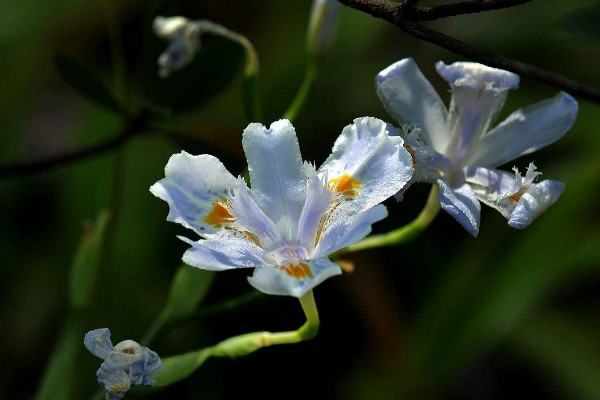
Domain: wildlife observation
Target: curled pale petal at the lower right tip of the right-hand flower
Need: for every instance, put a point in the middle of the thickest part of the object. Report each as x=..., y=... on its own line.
x=534, y=202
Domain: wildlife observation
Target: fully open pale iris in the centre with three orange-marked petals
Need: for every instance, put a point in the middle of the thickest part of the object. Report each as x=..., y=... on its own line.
x=293, y=216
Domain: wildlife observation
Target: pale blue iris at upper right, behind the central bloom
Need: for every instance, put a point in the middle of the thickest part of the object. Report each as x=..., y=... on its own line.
x=459, y=148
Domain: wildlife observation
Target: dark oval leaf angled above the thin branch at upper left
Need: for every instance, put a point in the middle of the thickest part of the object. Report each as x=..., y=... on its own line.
x=85, y=82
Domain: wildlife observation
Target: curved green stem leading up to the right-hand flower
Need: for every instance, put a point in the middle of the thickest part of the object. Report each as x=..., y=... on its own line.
x=403, y=234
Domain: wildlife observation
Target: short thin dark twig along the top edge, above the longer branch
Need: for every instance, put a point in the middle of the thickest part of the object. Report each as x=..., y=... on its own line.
x=466, y=7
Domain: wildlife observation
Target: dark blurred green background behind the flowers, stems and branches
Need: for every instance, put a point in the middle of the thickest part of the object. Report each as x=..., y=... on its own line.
x=511, y=313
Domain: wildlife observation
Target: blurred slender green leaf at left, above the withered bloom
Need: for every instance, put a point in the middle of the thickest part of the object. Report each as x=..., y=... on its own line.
x=86, y=262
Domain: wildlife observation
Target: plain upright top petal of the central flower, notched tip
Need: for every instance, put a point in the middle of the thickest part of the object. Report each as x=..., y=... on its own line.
x=276, y=170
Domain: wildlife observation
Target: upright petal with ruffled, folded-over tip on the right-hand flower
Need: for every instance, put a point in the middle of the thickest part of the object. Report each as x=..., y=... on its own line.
x=478, y=94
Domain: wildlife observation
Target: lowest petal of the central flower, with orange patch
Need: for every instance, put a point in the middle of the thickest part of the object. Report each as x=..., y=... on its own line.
x=293, y=280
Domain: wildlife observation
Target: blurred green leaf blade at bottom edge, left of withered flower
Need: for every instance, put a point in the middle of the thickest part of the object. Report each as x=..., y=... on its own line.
x=58, y=377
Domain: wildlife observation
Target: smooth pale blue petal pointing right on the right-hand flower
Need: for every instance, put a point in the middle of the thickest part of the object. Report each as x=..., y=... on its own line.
x=525, y=131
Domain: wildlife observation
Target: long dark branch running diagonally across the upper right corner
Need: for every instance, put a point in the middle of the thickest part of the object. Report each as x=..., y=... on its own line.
x=392, y=12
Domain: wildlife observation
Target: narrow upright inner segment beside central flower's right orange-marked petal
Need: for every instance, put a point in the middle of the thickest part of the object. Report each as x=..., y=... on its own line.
x=318, y=203
